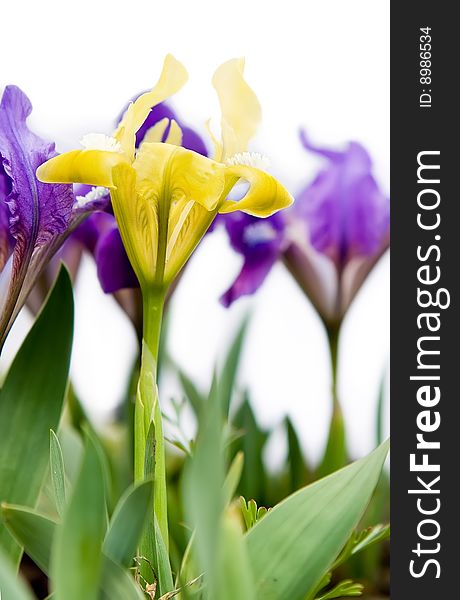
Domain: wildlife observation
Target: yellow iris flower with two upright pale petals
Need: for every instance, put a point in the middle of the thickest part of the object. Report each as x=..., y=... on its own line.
x=165, y=197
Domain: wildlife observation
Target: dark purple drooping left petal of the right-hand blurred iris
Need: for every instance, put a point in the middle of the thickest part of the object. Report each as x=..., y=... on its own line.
x=260, y=242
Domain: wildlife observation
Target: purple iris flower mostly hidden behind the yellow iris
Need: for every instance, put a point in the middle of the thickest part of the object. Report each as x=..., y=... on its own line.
x=101, y=236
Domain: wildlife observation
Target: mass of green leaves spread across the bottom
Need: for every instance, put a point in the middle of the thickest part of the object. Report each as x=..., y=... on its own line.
x=235, y=549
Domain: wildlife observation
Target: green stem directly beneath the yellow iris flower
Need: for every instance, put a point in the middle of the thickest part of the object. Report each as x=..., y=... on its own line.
x=147, y=412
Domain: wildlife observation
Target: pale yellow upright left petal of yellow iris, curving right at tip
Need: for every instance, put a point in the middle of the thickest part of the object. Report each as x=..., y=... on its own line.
x=173, y=77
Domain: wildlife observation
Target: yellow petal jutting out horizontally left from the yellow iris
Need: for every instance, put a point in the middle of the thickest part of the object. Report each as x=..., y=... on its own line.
x=93, y=167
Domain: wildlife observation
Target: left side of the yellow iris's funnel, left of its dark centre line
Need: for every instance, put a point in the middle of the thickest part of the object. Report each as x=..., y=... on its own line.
x=136, y=214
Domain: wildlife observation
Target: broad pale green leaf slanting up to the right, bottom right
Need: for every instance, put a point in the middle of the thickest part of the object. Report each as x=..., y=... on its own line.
x=295, y=544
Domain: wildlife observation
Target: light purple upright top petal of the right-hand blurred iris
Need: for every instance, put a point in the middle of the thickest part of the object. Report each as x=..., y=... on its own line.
x=346, y=212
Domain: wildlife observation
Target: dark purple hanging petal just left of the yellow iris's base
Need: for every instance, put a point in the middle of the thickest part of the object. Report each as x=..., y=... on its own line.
x=113, y=267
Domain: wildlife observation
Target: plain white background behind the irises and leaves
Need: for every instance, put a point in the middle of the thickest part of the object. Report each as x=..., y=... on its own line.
x=321, y=65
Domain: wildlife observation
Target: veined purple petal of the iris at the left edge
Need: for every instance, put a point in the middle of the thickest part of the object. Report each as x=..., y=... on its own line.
x=39, y=211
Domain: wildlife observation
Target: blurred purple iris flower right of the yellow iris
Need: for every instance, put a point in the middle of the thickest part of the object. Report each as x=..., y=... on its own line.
x=329, y=240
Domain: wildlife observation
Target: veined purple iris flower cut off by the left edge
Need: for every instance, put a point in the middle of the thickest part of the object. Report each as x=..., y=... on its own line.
x=33, y=215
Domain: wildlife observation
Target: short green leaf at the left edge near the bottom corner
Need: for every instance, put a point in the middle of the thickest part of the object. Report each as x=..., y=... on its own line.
x=33, y=531
